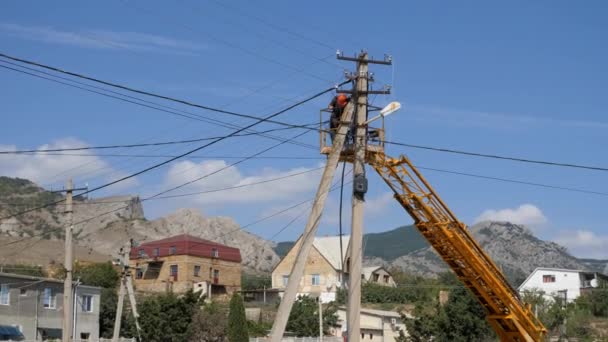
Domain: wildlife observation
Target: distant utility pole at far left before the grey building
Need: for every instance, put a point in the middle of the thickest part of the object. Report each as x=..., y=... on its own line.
x=66, y=335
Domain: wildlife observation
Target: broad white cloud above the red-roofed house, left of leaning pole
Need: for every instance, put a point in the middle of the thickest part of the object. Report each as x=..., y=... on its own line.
x=286, y=189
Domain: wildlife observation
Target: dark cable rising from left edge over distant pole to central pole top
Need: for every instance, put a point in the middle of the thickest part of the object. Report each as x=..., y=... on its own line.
x=260, y=120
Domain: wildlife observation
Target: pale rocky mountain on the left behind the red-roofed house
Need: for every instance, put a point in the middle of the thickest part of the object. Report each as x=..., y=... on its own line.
x=104, y=225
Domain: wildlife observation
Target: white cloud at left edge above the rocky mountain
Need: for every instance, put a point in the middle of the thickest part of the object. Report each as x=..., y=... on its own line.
x=51, y=168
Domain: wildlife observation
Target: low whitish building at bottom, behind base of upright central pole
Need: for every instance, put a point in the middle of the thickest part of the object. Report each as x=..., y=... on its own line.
x=376, y=325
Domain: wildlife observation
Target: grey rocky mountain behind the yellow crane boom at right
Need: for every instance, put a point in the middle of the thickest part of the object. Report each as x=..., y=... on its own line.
x=513, y=247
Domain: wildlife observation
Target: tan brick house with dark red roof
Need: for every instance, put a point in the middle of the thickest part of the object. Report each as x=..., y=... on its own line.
x=184, y=262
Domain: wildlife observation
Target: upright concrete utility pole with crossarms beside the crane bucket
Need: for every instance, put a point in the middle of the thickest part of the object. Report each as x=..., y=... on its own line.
x=358, y=201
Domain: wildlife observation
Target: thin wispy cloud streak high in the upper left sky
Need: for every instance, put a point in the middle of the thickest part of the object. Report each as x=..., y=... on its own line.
x=101, y=39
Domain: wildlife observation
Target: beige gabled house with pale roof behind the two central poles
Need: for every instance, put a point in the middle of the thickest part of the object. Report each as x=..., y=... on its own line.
x=323, y=273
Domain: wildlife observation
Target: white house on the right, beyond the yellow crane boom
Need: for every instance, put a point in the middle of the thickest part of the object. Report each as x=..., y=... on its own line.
x=562, y=283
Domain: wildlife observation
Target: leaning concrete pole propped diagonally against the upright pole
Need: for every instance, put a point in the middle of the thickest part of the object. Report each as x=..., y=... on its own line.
x=278, y=328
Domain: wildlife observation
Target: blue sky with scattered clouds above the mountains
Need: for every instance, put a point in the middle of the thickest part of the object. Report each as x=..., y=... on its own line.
x=520, y=79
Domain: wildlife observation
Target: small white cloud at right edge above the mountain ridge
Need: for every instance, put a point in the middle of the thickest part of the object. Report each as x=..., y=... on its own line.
x=584, y=243
